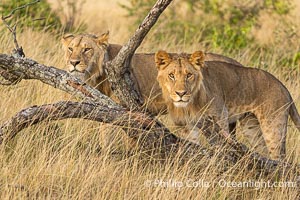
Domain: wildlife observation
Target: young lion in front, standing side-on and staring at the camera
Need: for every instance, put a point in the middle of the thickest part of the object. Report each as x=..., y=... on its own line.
x=191, y=86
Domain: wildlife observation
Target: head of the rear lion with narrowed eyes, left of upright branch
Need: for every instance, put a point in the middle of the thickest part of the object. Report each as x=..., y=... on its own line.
x=85, y=54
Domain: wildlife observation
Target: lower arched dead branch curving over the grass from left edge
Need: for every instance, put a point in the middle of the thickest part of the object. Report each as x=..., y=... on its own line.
x=150, y=134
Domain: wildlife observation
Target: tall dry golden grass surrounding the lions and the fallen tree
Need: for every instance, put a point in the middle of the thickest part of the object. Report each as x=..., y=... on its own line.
x=77, y=159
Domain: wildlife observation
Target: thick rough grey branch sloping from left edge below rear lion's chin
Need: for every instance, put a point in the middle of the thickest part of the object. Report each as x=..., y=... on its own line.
x=15, y=69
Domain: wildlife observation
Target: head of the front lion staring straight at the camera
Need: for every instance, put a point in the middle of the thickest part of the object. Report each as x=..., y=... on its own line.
x=179, y=76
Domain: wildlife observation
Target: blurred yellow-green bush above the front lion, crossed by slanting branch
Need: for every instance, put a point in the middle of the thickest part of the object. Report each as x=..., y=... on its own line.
x=226, y=24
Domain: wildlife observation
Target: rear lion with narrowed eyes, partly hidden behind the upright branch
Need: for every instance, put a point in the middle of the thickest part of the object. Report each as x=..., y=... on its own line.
x=86, y=53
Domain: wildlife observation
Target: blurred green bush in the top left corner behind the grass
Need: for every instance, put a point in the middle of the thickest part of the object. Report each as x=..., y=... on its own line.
x=41, y=16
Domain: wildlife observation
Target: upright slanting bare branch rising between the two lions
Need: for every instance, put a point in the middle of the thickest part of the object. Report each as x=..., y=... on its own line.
x=119, y=75
